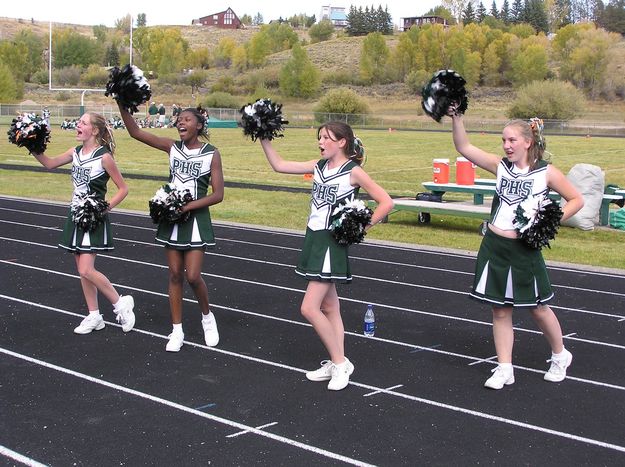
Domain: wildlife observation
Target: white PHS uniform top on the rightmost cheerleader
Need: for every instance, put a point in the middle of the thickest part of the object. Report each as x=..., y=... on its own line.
x=513, y=186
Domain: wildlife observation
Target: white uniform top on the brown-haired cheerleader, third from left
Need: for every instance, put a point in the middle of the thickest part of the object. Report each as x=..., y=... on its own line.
x=330, y=187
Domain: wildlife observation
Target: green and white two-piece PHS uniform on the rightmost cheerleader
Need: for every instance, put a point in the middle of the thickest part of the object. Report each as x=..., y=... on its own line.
x=508, y=272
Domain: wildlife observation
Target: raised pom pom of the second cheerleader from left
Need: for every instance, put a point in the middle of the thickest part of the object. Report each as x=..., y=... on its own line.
x=129, y=87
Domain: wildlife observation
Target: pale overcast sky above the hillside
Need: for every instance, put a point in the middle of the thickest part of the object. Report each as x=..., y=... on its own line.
x=164, y=12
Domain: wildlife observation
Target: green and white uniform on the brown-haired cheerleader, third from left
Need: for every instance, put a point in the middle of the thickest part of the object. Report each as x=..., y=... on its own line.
x=322, y=258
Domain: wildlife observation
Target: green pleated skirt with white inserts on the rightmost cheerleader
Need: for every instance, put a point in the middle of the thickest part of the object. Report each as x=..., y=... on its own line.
x=509, y=273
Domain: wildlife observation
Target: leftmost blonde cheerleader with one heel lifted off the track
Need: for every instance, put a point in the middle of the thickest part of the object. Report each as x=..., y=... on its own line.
x=92, y=166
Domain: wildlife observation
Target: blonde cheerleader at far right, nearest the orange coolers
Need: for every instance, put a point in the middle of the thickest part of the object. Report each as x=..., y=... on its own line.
x=511, y=271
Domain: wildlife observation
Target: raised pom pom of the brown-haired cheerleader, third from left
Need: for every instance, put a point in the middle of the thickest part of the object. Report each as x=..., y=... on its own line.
x=262, y=120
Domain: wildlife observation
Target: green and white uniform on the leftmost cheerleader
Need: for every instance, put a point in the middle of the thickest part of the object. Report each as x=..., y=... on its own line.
x=88, y=176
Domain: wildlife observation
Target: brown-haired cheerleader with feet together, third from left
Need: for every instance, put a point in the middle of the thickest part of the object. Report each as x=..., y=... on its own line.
x=323, y=261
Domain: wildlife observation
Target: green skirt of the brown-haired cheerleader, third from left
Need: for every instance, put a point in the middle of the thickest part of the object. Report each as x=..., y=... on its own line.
x=323, y=259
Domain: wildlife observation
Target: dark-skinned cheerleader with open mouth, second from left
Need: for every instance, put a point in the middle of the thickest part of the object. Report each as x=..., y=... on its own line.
x=193, y=165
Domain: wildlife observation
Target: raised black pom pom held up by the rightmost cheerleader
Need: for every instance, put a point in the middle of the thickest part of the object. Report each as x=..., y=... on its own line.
x=445, y=89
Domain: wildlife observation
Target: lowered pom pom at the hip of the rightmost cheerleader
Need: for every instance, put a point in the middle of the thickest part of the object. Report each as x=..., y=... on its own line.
x=537, y=221
